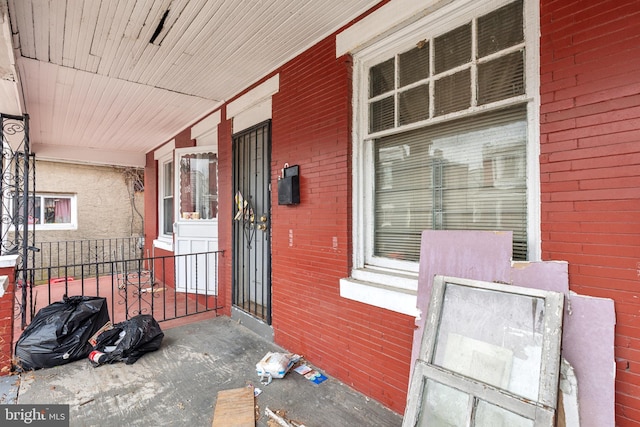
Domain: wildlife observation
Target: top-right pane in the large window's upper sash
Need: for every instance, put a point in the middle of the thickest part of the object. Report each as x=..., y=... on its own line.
x=500, y=29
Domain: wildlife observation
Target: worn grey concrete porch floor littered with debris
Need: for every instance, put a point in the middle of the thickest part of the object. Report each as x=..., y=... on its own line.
x=178, y=384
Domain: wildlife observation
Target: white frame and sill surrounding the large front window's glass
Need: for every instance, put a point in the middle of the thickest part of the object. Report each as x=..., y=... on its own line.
x=393, y=284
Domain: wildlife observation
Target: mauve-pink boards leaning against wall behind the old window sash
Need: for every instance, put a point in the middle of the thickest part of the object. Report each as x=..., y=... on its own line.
x=588, y=326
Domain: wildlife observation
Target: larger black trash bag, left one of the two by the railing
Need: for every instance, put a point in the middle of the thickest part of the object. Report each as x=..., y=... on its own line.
x=59, y=333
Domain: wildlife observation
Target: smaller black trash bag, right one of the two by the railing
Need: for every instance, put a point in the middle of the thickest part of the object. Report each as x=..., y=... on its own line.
x=132, y=339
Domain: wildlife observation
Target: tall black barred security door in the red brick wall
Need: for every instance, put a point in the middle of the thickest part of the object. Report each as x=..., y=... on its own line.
x=251, y=221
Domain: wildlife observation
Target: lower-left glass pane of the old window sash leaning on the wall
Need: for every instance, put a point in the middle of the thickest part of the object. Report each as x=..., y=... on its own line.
x=444, y=406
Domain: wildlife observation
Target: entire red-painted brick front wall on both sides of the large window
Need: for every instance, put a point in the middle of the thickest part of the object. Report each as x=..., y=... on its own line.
x=590, y=199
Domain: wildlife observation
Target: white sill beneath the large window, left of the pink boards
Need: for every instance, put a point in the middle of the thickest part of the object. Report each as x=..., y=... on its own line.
x=391, y=290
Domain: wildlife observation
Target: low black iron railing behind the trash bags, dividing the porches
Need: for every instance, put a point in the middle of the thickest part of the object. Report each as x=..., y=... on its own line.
x=167, y=287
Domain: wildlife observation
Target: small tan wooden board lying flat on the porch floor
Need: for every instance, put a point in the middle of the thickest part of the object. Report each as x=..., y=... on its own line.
x=234, y=408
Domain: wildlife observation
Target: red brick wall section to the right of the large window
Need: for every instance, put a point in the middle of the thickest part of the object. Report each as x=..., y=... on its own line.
x=590, y=164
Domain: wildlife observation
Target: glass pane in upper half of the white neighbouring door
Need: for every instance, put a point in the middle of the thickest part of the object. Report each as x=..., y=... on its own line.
x=198, y=186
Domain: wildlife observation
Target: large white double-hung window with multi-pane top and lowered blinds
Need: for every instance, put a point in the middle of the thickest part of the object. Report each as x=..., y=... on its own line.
x=443, y=119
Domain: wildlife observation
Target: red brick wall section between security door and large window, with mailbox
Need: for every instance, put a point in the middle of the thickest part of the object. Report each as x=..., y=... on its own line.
x=365, y=347
